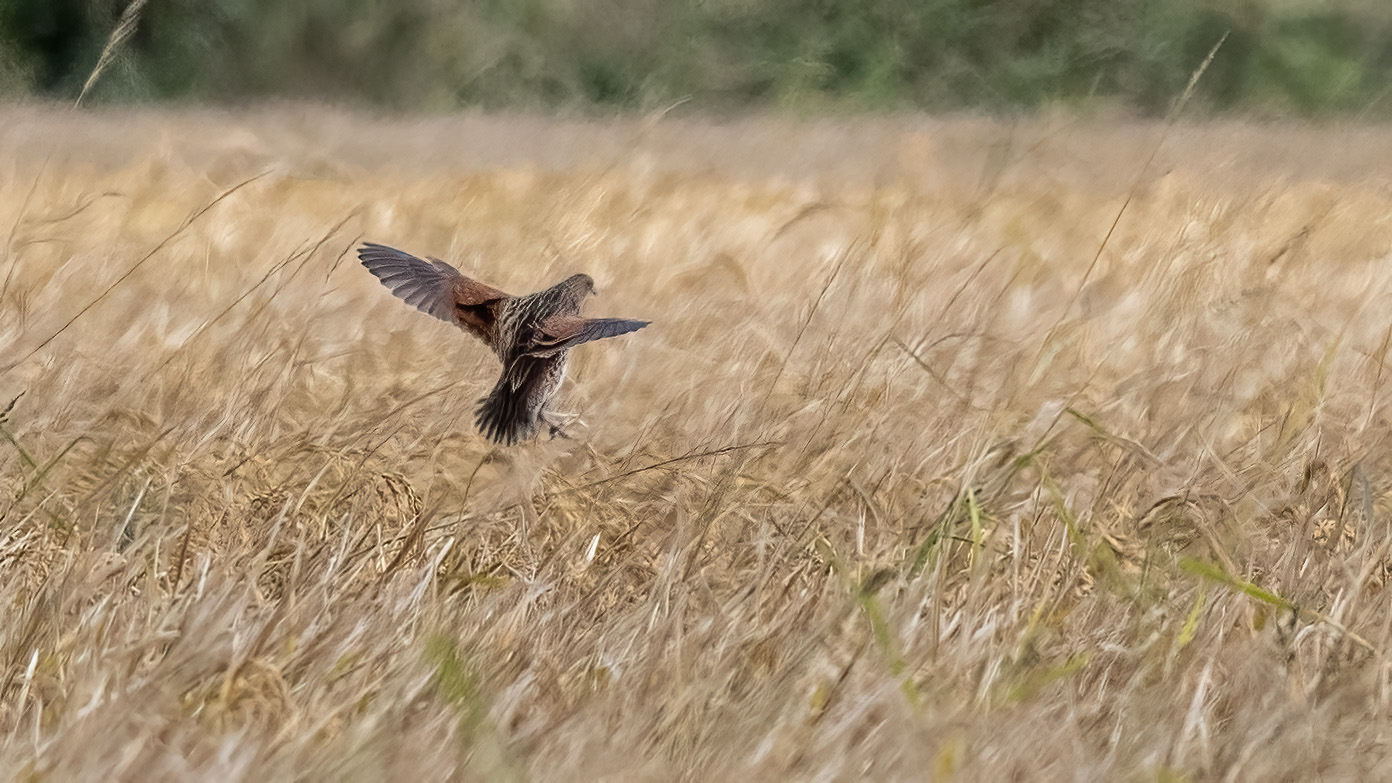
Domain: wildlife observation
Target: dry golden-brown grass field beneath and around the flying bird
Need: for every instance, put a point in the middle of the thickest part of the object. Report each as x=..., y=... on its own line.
x=904, y=483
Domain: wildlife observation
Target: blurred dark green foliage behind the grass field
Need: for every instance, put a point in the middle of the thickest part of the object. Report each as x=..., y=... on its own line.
x=431, y=55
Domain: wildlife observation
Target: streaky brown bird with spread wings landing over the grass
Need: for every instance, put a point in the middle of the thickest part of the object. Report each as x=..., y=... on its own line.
x=531, y=335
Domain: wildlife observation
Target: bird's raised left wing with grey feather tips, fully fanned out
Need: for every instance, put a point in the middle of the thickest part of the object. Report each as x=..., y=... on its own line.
x=436, y=288
